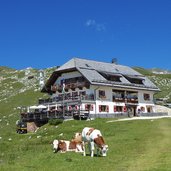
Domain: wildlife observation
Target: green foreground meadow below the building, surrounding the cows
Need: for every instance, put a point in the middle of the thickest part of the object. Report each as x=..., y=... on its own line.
x=142, y=145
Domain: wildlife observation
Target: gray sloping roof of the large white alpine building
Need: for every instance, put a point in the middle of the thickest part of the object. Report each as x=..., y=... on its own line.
x=91, y=71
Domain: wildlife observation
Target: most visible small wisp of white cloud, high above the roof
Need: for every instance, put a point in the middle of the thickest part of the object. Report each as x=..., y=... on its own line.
x=97, y=26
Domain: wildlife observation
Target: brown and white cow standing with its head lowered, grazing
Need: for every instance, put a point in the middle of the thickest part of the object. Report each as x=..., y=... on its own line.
x=94, y=139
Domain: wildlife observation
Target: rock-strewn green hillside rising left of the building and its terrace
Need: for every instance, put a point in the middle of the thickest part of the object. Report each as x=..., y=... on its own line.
x=18, y=88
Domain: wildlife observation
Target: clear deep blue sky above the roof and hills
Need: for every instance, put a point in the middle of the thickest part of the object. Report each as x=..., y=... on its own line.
x=46, y=33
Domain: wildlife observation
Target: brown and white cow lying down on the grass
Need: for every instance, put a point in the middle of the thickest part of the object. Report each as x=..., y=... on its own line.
x=64, y=146
